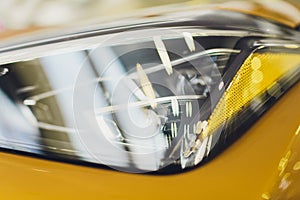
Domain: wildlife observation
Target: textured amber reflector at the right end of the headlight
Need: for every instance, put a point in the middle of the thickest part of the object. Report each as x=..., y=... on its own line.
x=259, y=73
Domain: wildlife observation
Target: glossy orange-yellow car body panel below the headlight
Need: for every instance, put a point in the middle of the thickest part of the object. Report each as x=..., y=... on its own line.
x=246, y=170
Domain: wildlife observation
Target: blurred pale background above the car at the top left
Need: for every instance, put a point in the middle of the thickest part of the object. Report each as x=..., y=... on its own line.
x=20, y=14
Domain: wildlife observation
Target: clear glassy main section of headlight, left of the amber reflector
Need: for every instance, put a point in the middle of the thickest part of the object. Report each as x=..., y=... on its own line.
x=115, y=105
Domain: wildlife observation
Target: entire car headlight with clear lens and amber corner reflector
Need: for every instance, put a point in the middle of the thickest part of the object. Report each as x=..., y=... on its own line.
x=143, y=100
